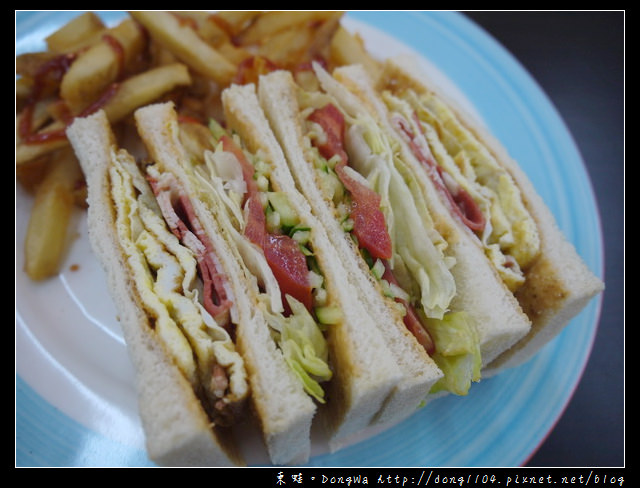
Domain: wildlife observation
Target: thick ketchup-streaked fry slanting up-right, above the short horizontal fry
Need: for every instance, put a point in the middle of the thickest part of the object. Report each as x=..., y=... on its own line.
x=101, y=65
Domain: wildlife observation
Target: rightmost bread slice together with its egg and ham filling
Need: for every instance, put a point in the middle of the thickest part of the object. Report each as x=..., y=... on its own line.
x=464, y=172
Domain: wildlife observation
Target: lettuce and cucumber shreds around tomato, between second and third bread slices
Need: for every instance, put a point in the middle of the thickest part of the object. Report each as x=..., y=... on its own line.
x=299, y=336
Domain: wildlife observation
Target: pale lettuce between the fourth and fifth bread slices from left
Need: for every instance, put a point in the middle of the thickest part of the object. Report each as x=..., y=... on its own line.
x=420, y=263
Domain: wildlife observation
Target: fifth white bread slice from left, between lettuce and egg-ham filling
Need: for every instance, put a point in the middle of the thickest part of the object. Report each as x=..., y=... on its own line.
x=479, y=290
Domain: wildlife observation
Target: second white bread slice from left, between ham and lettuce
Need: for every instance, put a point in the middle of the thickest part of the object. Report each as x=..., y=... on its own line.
x=284, y=410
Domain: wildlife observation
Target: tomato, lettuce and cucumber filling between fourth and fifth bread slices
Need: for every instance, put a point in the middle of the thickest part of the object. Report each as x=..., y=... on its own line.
x=354, y=166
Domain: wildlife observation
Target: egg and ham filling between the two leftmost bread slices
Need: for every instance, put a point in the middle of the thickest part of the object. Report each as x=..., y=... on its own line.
x=172, y=272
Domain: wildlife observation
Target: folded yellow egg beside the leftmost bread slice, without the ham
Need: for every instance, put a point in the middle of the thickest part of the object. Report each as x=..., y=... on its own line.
x=167, y=281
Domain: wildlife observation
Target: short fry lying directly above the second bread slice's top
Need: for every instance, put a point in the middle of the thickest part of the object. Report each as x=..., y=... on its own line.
x=145, y=88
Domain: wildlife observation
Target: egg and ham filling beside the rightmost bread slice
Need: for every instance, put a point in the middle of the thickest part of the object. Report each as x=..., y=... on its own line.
x=481, y=193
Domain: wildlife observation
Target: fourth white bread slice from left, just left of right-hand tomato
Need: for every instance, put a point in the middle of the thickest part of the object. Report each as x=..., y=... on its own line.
x=279, y=99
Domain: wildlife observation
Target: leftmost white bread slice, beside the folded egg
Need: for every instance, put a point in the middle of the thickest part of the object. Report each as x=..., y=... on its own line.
x=177, y=429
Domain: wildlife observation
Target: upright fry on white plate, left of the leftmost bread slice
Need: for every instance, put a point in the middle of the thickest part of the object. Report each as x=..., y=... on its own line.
x=47, y=236
